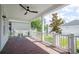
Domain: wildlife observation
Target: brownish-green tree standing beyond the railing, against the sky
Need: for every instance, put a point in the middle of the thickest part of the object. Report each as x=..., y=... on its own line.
x=56, y=23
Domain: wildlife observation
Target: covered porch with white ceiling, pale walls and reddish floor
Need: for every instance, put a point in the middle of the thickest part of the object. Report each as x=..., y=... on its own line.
x=17, y=40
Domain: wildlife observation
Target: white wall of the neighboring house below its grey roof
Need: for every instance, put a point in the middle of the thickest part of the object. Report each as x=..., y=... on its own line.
x=70, y=29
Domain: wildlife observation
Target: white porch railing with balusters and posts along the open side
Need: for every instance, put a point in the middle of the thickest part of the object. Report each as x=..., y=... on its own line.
x=66, y=42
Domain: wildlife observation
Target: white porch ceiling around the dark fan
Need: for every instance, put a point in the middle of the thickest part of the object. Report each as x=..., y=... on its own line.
x=15, y=12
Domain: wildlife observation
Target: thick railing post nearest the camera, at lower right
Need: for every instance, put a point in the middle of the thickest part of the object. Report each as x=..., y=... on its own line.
x=72, y=45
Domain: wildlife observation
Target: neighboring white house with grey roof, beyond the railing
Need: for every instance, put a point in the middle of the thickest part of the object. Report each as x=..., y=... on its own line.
x=71, y=28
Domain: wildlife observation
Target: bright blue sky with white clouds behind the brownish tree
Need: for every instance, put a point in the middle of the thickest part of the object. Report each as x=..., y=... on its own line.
x=68, y=13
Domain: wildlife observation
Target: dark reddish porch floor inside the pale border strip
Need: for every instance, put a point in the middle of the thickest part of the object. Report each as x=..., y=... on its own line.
x=21, y=45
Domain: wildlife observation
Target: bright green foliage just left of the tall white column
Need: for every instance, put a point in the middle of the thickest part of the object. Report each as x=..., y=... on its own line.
x=36, y=24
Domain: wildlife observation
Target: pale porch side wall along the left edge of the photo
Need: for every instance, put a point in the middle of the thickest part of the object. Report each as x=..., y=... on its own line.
x=3, y=29
